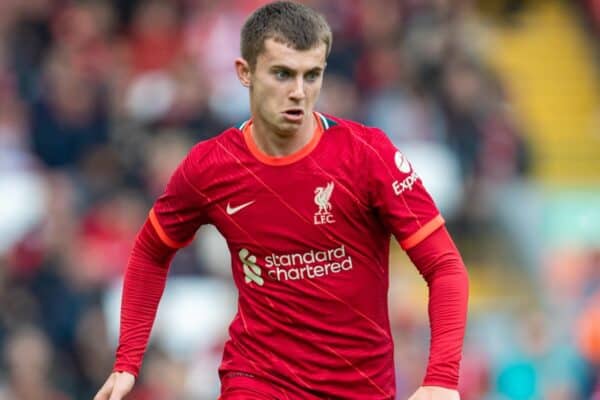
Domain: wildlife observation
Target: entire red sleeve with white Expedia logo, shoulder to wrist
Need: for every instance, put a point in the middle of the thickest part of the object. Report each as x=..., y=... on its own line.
x=404, y=206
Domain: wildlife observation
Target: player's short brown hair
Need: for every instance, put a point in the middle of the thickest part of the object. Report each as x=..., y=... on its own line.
x=287, y=22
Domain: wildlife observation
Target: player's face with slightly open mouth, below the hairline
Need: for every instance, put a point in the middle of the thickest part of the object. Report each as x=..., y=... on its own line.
x=285, y=85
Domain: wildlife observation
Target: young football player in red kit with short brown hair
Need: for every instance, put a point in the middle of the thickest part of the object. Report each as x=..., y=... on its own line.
x=307, y=204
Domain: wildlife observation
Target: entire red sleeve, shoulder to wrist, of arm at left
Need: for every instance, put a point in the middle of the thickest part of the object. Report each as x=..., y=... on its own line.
x=171, y=224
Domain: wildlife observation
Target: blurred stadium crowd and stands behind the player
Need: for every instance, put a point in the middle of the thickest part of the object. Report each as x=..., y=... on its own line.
x=497, y=103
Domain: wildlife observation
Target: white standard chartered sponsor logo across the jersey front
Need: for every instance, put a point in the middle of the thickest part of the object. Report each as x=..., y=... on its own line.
x=312, y=264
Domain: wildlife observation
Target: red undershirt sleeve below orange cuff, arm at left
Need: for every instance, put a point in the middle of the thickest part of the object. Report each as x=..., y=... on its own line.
x=143, y=287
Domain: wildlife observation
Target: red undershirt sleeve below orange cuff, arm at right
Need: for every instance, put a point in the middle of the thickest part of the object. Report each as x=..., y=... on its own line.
x=439, y=262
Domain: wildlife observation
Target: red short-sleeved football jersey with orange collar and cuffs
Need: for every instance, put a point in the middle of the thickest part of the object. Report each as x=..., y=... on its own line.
x=309, y=238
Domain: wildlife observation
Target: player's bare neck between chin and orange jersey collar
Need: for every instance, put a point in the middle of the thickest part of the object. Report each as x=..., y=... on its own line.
x=281, y=144
